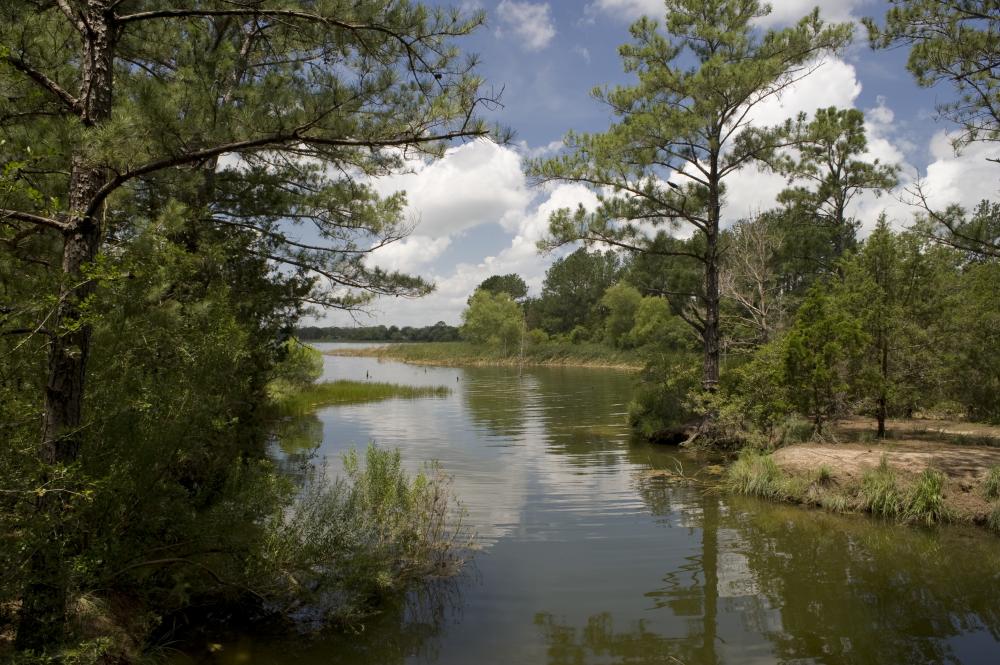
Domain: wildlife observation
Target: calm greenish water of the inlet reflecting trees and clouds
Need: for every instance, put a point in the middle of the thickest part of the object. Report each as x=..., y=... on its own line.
x=591, y=556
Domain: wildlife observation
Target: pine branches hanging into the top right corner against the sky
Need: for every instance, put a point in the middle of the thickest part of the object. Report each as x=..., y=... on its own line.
x=957, y=42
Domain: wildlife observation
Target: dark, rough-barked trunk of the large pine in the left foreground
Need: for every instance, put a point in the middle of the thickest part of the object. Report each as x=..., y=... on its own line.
x=43, y=607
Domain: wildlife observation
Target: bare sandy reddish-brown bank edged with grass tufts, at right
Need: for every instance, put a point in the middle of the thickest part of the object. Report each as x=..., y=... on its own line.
x=926, y=472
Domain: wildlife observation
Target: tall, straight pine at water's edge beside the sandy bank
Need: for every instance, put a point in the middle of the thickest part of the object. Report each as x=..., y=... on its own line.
x=685, y=120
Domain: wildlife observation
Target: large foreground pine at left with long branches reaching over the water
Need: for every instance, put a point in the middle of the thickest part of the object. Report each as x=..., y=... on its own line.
x=241, y=120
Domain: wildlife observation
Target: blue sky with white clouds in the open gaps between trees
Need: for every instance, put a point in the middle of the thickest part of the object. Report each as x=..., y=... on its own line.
x=476, y=214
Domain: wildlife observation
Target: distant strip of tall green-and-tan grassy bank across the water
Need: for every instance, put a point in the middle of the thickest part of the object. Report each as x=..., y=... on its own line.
x=464, y=354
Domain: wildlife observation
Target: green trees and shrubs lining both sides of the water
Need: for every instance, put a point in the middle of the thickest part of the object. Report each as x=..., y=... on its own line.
x=183, y=183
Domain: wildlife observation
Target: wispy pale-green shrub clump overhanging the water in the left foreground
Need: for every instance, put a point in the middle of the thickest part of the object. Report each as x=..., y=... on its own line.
x=346, y=546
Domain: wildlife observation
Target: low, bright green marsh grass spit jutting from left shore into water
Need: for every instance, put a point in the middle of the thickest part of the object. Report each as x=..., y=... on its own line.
x=291, y=400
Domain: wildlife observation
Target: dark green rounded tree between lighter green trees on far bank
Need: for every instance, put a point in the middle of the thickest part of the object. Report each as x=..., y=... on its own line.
x=573, y=288
